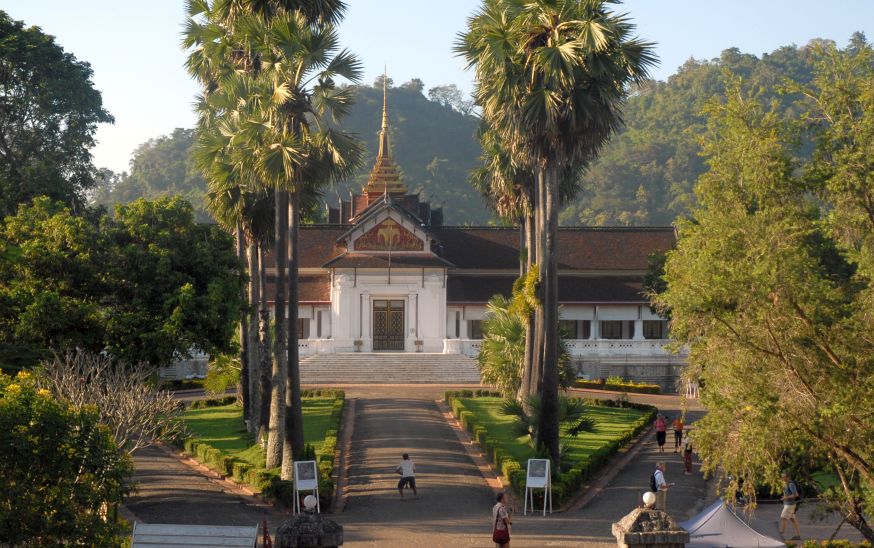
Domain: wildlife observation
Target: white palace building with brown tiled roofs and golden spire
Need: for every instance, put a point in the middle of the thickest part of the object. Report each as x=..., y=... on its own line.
x=385, y=275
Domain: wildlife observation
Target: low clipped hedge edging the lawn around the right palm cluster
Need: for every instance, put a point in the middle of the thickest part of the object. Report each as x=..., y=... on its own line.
x=564, y=484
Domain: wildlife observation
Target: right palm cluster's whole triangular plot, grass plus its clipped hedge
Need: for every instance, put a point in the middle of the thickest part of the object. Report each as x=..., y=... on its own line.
x=616, y=424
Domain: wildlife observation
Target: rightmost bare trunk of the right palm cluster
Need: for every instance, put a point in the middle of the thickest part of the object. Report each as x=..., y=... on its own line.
x=548, y=431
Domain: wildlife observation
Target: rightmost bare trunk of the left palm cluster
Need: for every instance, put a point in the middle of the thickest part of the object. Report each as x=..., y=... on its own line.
x=294, y=443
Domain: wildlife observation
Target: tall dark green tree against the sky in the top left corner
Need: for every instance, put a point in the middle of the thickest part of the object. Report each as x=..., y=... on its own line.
x=50, y=111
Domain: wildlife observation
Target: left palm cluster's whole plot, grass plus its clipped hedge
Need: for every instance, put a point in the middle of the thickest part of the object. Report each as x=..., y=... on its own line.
x=220, y=441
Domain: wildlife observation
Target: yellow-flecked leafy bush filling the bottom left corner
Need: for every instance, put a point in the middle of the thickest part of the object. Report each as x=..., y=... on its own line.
x=62, y=476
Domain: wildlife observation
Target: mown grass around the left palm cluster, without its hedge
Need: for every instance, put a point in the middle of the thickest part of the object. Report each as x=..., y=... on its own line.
x=222, y=428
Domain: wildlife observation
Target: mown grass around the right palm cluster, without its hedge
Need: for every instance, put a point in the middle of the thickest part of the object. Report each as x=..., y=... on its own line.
x=610, y=424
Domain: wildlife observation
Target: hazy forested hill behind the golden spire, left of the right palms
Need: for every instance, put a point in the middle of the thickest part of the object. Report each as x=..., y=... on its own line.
x=433, y=143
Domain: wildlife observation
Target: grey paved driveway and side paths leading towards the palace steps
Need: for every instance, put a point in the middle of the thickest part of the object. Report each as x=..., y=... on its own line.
x=453, y=508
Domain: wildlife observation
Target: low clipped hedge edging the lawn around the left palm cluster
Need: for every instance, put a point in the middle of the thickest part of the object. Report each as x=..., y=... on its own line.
x=268, y=481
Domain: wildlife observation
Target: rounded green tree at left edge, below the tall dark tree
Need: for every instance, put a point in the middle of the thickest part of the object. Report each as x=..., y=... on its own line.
x=50, y=293
